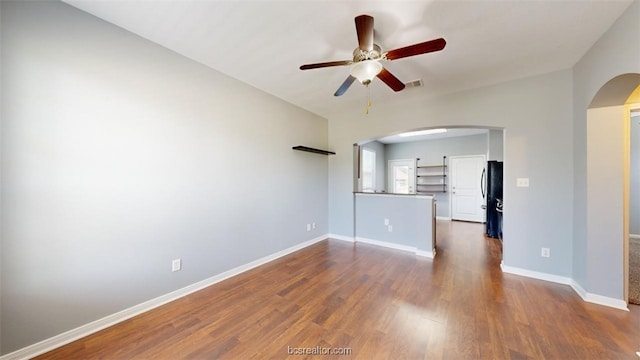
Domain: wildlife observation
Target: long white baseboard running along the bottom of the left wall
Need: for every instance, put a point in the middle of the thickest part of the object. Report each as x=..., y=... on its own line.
x=110, y=320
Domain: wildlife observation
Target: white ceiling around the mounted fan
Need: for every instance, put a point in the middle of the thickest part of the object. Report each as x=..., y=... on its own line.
x=263, y=43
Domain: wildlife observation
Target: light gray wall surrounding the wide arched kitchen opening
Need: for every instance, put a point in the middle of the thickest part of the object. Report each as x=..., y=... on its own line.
x=537, y=143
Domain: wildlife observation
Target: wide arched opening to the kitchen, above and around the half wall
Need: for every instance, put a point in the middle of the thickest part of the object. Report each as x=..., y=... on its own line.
x=449, y=165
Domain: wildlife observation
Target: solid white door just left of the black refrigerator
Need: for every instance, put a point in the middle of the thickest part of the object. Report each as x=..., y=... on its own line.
x=466, y=188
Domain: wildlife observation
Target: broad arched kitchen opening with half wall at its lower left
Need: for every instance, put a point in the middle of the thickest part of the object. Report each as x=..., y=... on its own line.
x=425, y=159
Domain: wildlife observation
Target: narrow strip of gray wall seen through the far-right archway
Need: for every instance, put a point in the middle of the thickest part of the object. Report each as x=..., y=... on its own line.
x=634, y=194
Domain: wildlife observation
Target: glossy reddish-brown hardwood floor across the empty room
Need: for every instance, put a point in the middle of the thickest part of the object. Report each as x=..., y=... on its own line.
x=378, y=303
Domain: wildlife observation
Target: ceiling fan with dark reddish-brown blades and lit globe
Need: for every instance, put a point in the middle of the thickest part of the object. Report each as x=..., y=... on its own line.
x=367, y=56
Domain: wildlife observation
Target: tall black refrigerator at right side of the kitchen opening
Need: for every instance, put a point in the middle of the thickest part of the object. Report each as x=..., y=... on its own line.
x=492, y=178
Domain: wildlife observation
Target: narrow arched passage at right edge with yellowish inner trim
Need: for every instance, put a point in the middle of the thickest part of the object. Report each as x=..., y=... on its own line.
x=608, y=151
